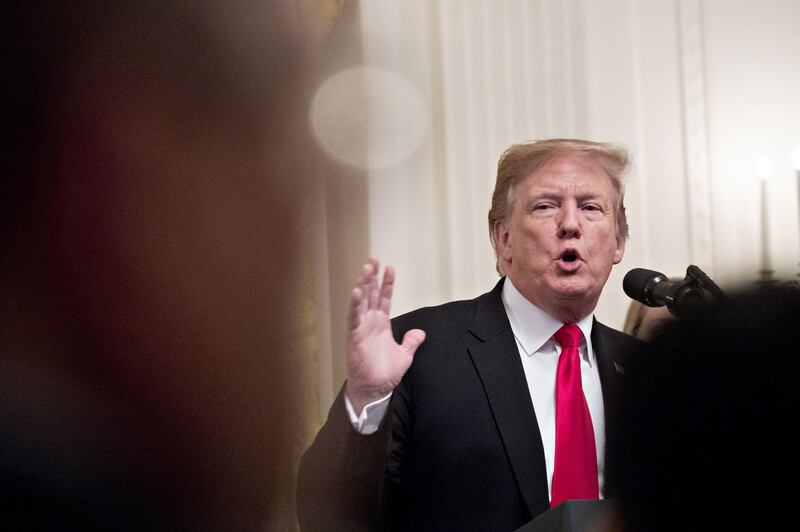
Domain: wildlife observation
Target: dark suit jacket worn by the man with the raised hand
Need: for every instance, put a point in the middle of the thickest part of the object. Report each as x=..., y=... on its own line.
x=460, y=447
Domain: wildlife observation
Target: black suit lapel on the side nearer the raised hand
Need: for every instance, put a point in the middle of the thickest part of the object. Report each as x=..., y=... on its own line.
x=497, y=361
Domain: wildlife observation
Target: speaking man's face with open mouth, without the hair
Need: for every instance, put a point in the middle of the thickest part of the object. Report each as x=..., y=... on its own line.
x=560, y=241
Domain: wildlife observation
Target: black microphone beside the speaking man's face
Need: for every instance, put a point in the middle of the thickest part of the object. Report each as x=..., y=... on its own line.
x=654, y=289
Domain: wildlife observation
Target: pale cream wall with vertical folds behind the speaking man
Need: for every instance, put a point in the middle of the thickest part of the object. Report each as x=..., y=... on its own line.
x=697, y=90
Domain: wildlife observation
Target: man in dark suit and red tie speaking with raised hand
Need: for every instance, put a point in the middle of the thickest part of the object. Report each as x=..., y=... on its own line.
x=465, y=438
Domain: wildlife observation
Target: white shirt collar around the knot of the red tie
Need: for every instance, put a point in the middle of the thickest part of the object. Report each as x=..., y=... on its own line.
x=533, y=327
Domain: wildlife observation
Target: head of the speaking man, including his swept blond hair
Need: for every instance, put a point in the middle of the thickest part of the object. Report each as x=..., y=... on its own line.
x=558, y=222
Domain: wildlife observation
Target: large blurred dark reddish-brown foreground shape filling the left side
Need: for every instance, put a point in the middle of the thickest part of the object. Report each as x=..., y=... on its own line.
x=151, y=223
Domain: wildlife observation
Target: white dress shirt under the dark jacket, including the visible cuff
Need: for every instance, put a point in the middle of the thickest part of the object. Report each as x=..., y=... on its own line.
x=533, y=329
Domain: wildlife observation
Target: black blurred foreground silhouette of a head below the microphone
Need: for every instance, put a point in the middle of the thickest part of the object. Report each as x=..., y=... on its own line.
x=709, y=408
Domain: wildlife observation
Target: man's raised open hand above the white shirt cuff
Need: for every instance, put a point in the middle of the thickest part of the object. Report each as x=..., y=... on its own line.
x=375, y=361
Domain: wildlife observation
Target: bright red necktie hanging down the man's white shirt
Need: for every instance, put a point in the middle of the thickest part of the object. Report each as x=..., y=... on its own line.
x=575, y=470
